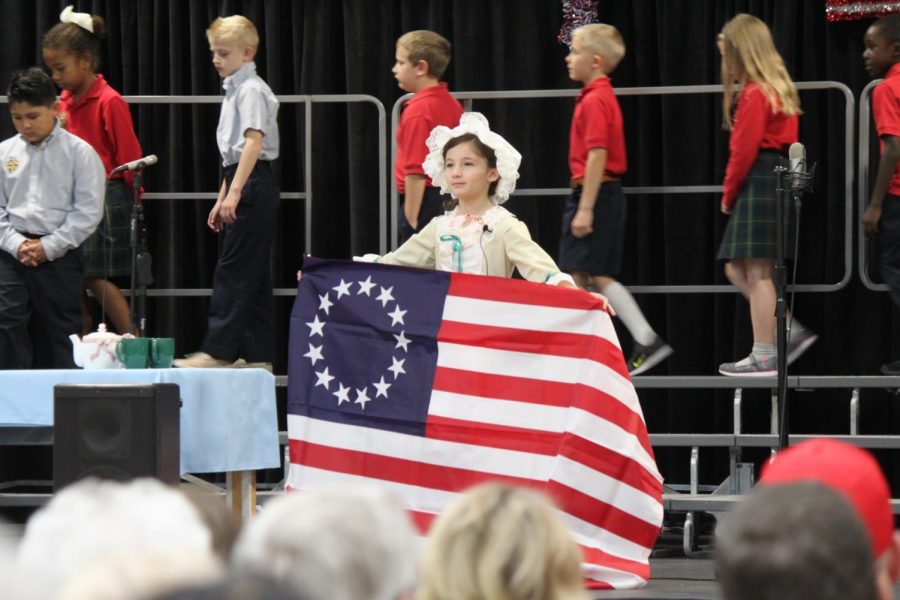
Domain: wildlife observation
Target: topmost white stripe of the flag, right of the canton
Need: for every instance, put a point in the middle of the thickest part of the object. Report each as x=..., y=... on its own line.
x=529, y=317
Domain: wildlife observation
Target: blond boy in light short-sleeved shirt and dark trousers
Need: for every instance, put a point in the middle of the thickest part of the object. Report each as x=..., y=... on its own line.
x=240, y=330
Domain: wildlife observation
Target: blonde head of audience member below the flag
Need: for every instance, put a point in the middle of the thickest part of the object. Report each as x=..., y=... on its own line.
x=499, y=541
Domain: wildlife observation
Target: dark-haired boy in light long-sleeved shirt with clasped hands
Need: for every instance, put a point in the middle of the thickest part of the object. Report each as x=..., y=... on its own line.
x=52, y=185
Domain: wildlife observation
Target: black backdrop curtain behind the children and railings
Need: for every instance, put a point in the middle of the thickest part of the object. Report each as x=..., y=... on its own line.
x=158, y=47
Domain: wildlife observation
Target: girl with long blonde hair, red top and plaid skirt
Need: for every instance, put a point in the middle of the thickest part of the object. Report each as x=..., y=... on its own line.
x=761, y=107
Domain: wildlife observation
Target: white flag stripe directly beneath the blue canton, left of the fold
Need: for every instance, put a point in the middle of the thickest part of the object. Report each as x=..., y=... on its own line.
x=484, y=459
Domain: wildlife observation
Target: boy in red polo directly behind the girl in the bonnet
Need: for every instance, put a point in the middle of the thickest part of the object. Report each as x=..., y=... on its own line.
x=421, y=58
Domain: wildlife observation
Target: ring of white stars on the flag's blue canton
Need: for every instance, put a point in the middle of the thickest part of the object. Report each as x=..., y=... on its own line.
x=378, y=389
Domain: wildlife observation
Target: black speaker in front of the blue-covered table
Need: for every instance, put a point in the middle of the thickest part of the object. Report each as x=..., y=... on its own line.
x=116, y=432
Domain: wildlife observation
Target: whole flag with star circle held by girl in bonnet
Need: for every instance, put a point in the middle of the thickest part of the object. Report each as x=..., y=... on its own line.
x=429, y=382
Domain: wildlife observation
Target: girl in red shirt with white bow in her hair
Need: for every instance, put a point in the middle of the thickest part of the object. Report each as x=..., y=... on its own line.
x=98, y=114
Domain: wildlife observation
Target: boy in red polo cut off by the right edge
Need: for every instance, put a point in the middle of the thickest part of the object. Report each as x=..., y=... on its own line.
x=882, y=217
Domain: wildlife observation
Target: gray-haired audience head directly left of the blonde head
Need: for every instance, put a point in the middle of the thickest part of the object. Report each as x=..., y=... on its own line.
x=350, y=542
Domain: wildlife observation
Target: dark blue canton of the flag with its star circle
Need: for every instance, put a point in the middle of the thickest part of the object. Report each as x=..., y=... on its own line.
x=367, y=343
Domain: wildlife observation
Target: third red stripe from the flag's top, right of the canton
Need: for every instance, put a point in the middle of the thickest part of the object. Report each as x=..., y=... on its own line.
x=546, y=393
